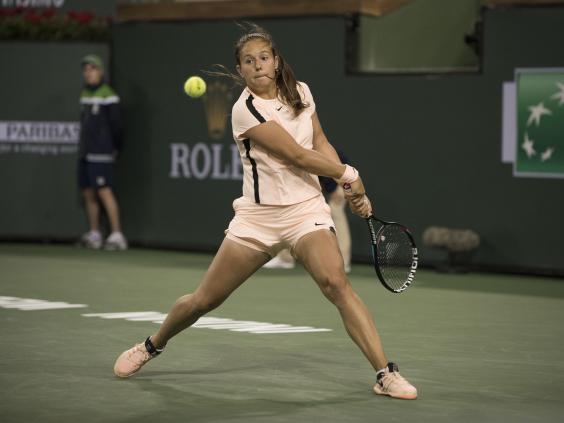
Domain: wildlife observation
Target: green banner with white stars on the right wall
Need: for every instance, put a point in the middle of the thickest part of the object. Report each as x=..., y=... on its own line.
x=540, y=123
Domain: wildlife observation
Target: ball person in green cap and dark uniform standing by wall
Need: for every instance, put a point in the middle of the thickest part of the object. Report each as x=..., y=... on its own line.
x=100, y=141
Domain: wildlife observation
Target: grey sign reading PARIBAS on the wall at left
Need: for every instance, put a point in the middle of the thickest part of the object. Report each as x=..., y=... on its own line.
x=39, y=138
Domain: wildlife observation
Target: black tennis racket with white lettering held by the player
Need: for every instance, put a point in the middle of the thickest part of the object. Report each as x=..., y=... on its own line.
x=394, y=253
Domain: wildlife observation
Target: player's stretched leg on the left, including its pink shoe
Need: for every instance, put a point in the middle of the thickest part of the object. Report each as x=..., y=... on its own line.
x=232, y=265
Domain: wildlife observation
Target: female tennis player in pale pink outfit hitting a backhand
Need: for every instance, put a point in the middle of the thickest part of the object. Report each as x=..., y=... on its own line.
x=283, y=149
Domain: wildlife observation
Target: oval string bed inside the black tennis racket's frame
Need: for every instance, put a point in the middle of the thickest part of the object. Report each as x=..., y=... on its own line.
x=395, y=255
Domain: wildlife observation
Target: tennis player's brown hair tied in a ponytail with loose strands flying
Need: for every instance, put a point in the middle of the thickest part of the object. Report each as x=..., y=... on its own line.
x=285, y=79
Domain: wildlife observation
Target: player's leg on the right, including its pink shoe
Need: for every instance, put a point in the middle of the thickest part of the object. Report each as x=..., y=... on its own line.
x=320, y=255
